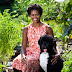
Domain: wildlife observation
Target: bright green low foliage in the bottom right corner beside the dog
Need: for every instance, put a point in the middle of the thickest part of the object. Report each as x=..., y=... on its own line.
x=68, y=62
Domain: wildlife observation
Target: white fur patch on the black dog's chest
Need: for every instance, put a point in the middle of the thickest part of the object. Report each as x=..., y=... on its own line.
x=44, y=60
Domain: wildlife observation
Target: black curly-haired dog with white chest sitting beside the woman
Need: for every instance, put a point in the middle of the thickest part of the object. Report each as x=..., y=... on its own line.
x=46, y=43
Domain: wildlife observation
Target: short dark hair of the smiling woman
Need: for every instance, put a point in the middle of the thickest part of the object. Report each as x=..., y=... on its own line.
x=35, y=7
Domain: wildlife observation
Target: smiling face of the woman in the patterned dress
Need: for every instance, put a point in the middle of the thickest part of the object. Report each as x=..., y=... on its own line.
x=35, y=16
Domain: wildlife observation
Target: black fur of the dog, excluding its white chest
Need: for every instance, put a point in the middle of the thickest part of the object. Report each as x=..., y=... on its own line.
x=47, y=42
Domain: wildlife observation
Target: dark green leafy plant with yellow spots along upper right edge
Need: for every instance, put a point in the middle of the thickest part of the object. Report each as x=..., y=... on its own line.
x=65, y=18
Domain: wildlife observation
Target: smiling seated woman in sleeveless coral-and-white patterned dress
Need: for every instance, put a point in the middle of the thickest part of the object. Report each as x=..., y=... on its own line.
x=27, y=61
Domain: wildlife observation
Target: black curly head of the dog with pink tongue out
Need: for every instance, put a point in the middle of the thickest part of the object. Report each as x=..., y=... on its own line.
x=46, y=43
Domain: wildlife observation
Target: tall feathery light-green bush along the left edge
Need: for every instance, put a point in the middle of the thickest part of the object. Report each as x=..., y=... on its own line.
x=10, y=30
